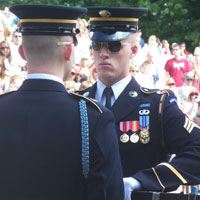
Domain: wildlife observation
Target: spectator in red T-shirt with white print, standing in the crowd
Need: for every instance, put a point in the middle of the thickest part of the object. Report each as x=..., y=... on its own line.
x=177, y=67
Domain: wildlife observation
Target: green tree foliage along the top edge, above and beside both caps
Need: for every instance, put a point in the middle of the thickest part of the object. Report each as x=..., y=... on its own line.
x=174, y=20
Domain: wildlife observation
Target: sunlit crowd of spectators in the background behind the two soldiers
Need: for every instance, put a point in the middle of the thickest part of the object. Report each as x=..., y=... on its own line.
x=157, y=65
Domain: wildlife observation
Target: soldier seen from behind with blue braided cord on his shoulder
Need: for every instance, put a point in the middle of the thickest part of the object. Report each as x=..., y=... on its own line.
x=55, y=145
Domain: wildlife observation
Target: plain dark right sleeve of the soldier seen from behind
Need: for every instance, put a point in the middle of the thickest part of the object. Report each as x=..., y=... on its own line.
x=105, y=179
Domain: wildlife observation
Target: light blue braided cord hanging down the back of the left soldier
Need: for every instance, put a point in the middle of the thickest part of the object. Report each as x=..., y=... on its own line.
x=84, y=137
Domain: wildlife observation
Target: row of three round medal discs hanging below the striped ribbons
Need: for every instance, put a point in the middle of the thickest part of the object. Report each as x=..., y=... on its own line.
x=143, y=137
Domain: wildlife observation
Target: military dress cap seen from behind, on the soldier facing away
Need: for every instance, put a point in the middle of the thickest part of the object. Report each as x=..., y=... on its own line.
x=47, y=19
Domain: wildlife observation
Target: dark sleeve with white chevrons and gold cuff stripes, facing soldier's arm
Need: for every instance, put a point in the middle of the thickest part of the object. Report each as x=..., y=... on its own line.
x=182, y=137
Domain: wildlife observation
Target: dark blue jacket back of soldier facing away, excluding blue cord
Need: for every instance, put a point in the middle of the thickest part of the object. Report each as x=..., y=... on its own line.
x=40, y=146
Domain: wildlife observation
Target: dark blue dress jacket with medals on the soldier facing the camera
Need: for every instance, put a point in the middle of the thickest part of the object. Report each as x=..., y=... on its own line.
x=142, y=135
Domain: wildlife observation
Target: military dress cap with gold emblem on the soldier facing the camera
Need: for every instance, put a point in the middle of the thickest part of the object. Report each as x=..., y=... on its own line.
x=113, y=23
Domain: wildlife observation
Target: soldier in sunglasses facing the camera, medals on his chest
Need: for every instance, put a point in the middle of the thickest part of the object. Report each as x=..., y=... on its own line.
x=149, y=123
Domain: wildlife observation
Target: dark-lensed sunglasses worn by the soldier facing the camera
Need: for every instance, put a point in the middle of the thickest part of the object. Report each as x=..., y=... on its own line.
x=113, y=47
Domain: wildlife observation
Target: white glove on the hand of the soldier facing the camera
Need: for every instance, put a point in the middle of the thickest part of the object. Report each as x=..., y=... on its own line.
x=130, y=184
